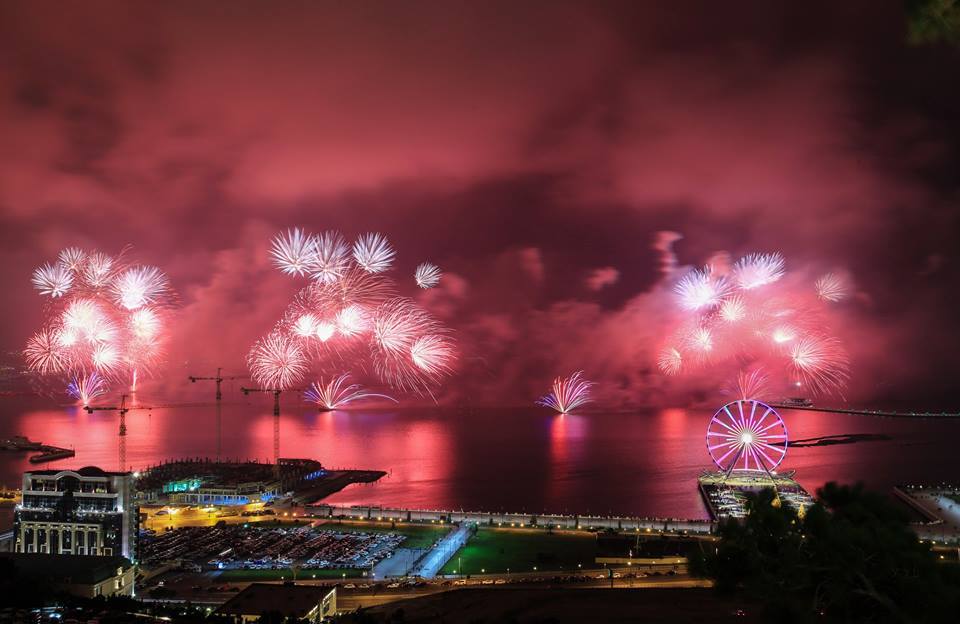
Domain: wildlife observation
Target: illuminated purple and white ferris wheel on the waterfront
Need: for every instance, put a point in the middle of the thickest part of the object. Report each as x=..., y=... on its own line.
x=747, y=435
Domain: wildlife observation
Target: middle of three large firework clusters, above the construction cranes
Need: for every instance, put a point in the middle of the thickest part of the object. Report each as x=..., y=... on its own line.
x=350, y=317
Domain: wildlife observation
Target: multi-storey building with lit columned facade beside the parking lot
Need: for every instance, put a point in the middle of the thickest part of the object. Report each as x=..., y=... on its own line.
x=79, y=512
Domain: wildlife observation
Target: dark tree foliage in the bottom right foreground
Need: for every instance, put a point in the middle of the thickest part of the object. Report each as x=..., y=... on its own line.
x=852, y=557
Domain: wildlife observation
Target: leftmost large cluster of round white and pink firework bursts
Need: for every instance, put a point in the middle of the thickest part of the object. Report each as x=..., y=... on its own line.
x=105, y=321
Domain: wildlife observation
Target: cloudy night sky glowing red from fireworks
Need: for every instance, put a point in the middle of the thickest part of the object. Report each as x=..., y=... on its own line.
x=532, y=150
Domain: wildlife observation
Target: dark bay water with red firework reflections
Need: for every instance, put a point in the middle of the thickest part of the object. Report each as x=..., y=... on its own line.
x=643, y=463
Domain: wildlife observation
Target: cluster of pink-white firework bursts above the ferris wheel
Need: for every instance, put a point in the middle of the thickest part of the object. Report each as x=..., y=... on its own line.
x=749, y=311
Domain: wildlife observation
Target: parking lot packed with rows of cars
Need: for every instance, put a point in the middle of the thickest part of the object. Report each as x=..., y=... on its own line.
x=238, y=547
